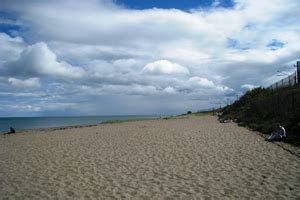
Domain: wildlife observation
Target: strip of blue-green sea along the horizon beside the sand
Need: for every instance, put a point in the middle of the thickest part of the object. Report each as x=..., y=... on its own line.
x=24, y=123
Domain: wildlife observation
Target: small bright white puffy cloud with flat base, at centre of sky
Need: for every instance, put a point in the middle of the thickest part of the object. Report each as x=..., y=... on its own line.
x=165, y=67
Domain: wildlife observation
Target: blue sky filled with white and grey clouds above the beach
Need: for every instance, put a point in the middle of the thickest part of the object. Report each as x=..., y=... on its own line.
x=120, y=57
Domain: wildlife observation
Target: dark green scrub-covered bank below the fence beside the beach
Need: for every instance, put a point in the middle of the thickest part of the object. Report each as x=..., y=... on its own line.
x=262, y=110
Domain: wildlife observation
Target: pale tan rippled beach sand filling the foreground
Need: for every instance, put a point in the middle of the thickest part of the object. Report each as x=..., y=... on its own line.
x=191, y=158
